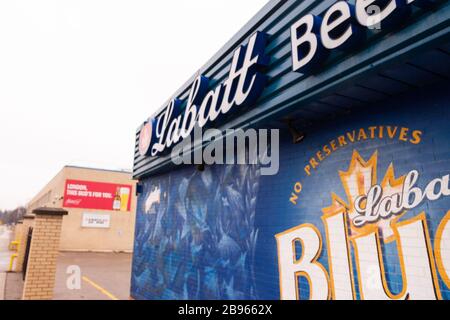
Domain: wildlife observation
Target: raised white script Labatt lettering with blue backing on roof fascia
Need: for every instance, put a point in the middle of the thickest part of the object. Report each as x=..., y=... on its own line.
x=244, y=85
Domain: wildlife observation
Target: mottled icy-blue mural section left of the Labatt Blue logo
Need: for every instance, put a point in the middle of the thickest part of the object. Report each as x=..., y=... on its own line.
x=196, y=236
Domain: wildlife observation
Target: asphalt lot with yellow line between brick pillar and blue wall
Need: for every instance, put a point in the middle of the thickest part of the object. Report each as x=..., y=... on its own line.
x=93, y=276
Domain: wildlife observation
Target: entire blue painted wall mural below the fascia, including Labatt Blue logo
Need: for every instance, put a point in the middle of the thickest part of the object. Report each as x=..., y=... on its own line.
x=336, y=222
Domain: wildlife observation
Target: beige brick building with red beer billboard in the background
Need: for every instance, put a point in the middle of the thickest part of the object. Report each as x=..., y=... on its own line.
x=101, y=208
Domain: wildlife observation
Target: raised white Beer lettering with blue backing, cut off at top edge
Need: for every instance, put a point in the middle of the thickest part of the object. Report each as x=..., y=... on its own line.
x=342, y=27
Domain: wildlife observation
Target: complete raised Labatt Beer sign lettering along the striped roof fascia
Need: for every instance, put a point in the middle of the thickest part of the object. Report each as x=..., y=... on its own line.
x=312, y=38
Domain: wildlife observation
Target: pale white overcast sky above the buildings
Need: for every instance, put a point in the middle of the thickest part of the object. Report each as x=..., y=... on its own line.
x=78, y=77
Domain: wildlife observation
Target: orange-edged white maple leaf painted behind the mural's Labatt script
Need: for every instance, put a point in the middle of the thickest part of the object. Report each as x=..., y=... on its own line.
x=357, y=181
